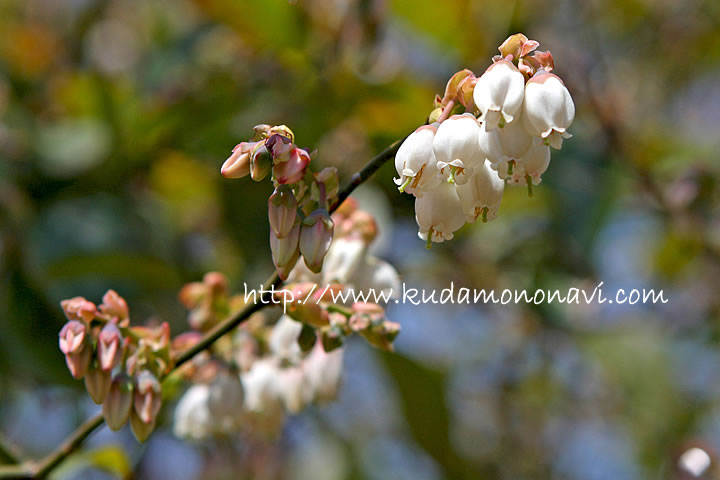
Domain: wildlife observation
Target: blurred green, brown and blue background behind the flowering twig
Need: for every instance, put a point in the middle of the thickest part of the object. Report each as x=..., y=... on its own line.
x=115, y=116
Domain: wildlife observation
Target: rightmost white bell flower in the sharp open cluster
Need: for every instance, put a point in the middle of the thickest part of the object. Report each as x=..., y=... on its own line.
x=548, y=110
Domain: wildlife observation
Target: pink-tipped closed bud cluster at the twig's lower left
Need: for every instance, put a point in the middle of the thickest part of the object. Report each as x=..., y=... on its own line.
x=119, y=363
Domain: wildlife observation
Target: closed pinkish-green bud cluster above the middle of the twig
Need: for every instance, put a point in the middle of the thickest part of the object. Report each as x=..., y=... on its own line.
x=300, y=224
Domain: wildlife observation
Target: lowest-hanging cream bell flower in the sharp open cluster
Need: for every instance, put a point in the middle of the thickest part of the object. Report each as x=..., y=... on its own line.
x=439, y=214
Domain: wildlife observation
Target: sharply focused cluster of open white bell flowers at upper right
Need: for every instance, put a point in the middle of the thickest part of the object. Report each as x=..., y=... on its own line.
x=485, y=132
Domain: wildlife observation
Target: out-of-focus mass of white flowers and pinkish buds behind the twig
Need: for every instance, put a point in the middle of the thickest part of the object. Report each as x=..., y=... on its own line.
x=249, y=381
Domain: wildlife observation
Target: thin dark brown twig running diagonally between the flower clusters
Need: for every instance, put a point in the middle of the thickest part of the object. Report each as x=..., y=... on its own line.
x=42, y=468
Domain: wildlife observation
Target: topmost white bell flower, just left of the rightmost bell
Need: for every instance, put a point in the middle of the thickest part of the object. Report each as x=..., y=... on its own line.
x=498, y=94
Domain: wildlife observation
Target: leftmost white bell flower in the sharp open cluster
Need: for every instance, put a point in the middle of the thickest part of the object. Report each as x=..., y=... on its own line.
x=416, y=164
